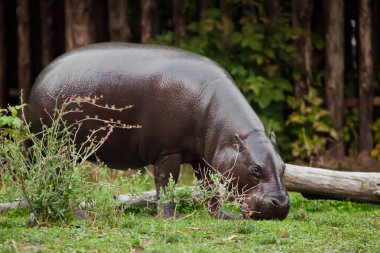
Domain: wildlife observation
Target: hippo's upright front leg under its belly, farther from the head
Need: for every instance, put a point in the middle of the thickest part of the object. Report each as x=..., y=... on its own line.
x=164, y=167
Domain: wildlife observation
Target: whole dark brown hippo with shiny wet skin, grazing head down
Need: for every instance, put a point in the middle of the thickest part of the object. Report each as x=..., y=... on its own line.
x=190, y=111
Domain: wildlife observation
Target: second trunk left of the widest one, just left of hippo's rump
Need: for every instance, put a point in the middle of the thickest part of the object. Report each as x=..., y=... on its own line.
x=24, y=47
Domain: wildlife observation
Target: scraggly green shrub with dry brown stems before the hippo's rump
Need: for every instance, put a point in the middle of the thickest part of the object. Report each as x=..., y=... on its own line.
x=50, y=176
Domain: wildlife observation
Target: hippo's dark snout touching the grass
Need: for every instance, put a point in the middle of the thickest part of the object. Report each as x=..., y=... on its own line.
x=268, y=208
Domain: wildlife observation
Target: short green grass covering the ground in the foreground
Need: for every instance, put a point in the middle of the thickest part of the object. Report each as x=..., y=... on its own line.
x=312, y=226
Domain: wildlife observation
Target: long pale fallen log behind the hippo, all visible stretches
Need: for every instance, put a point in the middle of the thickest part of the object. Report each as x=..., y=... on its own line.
x=315, y=182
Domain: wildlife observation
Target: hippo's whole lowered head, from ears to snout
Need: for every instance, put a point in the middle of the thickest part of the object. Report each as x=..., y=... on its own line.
x=257, y=171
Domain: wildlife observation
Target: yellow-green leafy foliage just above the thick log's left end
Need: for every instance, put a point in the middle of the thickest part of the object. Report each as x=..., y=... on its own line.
x=311, y=124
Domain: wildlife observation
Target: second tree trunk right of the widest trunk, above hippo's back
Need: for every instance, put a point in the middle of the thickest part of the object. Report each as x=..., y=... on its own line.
x=148, y=17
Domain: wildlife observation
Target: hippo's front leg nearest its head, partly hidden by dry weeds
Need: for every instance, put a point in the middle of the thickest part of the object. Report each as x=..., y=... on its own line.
x=213, y=204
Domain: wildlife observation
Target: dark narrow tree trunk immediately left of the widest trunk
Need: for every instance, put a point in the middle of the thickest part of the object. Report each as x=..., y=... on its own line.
x=47, y=31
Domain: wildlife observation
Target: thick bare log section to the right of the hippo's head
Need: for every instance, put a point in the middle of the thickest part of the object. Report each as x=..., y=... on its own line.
x=331, y=184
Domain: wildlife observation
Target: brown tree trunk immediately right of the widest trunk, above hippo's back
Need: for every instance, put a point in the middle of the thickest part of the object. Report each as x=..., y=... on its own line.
x=118, y=24
